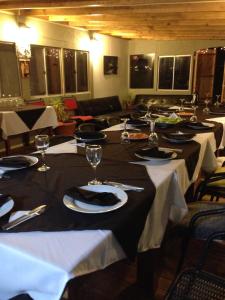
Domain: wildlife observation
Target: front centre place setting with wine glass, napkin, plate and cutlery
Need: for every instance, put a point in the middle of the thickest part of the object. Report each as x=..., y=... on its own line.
x=97, y=196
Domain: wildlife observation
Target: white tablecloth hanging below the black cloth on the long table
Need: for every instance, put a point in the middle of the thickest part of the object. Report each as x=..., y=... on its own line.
x=41, y=263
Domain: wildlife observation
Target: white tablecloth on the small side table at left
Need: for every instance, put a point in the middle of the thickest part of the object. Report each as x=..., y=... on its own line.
x=12, y=124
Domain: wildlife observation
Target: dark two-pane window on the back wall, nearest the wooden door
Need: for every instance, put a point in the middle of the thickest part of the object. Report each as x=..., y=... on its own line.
x=174, y=72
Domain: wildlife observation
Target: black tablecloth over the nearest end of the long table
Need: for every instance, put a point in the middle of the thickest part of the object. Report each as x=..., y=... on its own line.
x=30, y=188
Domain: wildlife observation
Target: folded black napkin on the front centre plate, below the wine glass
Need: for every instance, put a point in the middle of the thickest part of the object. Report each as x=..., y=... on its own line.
x=94, y=198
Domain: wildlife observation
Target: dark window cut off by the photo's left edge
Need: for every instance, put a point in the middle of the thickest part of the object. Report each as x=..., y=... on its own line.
x=9, y=77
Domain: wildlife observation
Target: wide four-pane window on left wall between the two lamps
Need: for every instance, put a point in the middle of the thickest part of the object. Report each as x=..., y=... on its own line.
x=46, y=75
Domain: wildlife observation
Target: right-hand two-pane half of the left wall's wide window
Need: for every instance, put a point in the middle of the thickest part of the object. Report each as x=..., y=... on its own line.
x=75, y=70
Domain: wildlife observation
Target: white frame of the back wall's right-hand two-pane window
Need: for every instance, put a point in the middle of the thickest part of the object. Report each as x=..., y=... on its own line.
x=174, y=61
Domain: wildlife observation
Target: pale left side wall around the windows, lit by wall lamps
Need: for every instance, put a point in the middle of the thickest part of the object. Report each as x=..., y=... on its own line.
x=49, y=34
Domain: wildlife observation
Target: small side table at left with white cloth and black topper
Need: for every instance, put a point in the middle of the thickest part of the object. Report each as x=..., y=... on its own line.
x=23, y=119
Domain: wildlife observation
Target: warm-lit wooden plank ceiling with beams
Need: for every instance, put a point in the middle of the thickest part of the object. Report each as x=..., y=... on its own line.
x=130, y=19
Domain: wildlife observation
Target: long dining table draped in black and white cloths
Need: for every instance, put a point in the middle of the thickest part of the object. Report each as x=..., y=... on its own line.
x=42, y=255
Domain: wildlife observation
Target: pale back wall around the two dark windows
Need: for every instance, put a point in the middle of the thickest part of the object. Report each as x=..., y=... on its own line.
x=160, y=48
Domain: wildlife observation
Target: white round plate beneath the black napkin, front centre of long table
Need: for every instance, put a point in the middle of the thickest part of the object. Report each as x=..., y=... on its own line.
x=96, y=209
